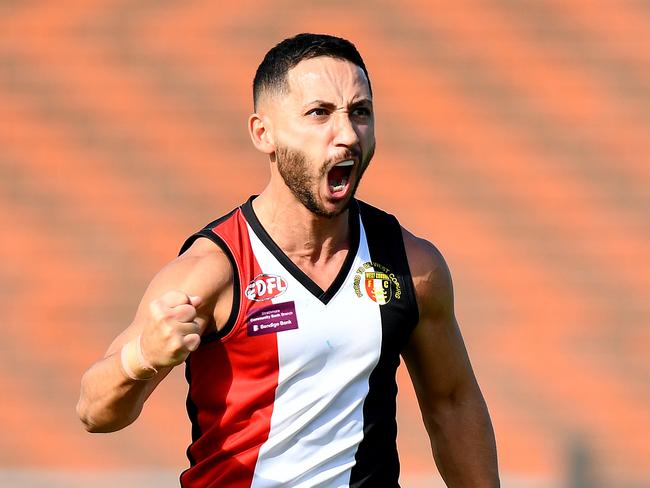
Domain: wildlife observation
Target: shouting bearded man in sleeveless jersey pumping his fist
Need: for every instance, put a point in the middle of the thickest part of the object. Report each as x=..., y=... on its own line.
x=292, y=311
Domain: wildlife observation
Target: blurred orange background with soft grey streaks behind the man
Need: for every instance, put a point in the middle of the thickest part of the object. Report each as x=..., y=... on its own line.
x=515, y=135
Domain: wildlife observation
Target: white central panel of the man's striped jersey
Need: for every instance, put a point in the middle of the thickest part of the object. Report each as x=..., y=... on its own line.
x=324, y=368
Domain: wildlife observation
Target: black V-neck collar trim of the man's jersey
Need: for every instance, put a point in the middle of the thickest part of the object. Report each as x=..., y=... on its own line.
x=323, y=295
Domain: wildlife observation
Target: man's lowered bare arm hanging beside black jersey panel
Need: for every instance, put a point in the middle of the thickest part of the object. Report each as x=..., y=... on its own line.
x=453, y=408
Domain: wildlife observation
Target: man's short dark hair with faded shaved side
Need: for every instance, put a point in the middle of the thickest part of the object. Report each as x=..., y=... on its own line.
x=271, y=75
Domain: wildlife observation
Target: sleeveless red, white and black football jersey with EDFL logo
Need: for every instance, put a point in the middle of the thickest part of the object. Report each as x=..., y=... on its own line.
x=298, y=389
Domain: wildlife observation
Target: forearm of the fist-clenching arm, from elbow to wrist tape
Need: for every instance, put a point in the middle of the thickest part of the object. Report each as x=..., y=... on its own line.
x=109, y=400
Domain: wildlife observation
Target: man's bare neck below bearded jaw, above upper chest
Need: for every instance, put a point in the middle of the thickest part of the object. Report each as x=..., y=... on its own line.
x=296, y=230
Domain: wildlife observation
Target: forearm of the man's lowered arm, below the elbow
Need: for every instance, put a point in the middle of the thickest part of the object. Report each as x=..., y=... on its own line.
x=462, y=440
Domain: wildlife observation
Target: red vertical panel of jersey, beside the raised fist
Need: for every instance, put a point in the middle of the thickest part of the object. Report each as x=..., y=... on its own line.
x=232, y=385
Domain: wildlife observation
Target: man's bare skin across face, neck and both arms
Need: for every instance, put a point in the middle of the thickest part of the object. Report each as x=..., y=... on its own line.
x=326, y=117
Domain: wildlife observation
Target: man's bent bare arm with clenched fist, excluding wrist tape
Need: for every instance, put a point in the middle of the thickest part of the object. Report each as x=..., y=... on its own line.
x=186, y=298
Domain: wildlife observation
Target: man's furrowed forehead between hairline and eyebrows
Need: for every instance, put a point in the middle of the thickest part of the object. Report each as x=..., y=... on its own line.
x=327, y=78
